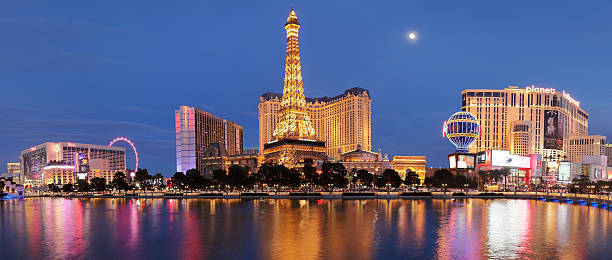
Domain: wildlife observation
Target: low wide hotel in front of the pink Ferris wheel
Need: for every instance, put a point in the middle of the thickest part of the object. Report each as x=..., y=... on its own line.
x=104, y=161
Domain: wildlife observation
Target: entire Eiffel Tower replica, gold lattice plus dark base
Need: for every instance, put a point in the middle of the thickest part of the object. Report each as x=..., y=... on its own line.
x=295, y=143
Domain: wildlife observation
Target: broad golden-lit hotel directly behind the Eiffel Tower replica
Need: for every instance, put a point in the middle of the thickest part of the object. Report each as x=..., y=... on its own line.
x=343, y=121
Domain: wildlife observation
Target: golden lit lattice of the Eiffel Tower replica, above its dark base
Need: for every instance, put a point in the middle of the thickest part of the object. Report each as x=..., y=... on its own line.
x=293, y=116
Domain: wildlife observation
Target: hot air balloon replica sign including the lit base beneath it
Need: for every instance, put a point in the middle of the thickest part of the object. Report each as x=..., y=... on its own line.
x=462, y=130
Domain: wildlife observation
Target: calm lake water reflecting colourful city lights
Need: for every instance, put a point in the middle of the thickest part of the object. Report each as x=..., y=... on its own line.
x=50, y=228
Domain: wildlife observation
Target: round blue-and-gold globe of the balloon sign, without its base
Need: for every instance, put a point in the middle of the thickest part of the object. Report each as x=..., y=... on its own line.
x=462, y=129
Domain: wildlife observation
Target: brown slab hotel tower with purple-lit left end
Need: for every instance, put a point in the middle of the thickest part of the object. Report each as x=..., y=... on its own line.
x=196, y=129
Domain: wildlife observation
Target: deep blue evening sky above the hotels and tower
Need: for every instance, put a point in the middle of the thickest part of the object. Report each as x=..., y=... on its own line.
x=87, y=71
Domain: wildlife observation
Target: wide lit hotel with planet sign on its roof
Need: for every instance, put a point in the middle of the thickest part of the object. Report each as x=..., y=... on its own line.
x=530, y=120
